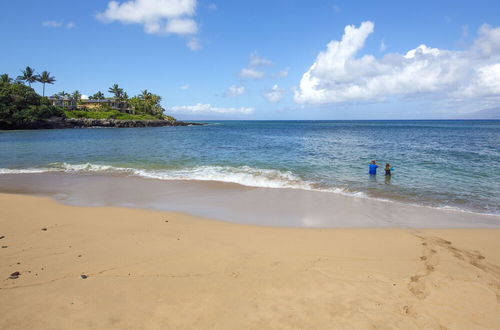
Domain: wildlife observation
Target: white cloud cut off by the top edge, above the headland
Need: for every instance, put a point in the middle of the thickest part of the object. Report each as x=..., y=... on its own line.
x=157, y=16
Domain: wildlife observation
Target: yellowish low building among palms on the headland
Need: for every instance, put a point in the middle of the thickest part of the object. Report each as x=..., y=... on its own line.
x=88, y=104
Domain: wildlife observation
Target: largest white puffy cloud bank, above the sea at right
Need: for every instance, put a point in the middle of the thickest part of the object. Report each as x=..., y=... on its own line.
x=338, y=75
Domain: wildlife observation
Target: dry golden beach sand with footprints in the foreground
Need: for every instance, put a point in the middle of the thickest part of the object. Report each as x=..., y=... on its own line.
x=166, y=270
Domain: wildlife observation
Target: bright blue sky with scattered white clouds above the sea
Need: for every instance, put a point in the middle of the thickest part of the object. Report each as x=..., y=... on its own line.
x=273, y=59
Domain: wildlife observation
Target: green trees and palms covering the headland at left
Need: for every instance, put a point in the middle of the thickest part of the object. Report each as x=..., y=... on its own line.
x=20, y=105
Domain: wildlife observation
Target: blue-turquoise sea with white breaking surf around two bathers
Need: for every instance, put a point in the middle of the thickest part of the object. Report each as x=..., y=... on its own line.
x=452, y=164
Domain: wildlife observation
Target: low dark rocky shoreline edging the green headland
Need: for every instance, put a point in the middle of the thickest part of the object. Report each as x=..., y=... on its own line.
x=58, y=123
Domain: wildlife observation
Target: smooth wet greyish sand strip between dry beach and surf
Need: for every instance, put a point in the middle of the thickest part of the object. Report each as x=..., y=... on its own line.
x=240, y=204
